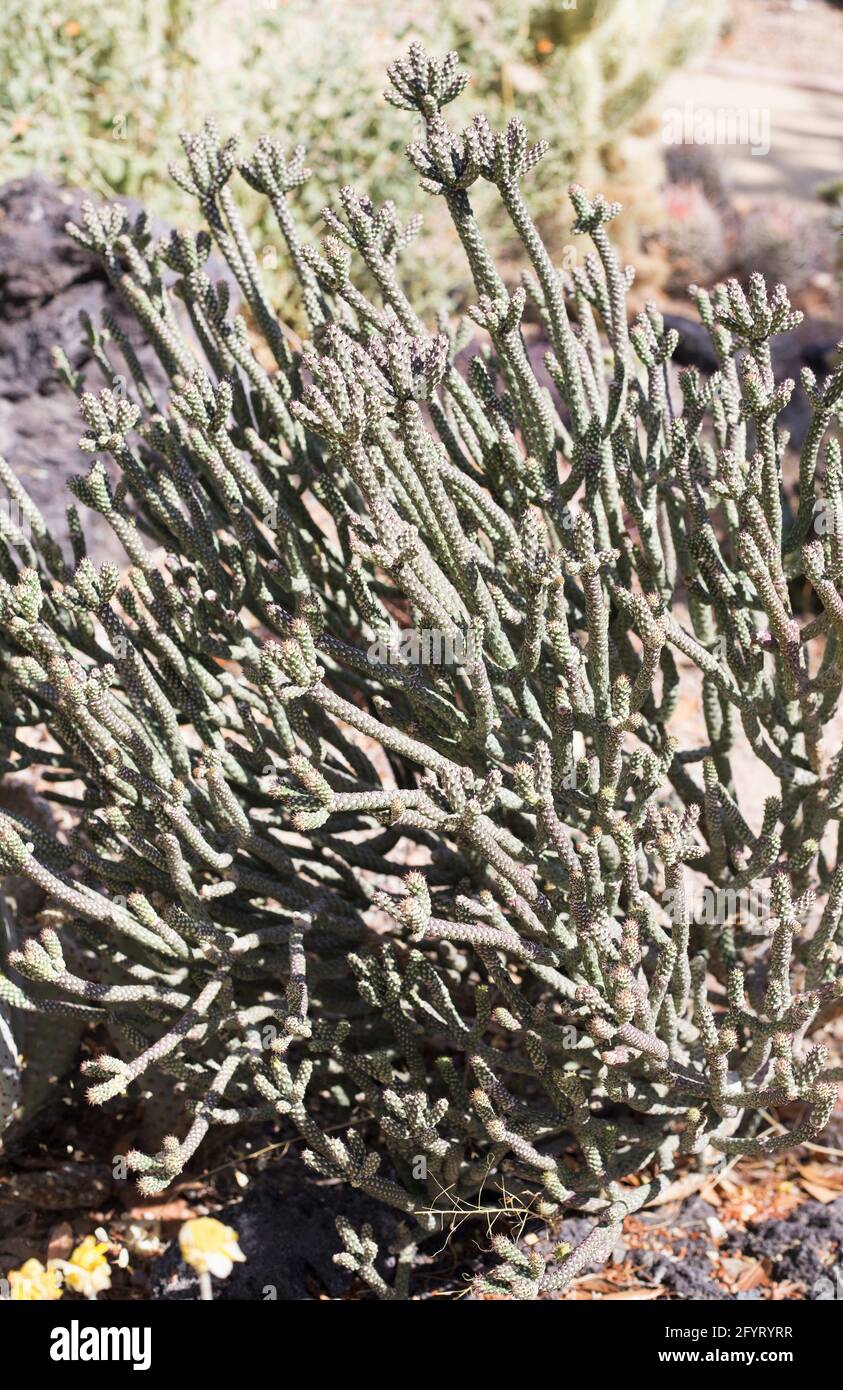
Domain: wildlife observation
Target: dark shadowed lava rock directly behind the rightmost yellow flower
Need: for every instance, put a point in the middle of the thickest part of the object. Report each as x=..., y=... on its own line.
x=290, y=1241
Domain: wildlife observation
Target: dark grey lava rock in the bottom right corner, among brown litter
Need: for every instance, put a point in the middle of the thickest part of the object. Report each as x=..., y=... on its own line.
x=805, y=1248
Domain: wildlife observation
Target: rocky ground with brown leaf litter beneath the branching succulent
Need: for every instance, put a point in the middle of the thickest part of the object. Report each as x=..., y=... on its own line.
x=753, y=1231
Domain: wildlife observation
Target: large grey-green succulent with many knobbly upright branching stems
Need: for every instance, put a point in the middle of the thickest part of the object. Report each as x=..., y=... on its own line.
x=538, y=1013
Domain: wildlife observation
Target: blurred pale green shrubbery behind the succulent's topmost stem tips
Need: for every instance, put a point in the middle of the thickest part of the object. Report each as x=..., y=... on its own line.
x=97, y=94
